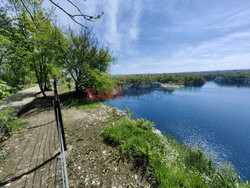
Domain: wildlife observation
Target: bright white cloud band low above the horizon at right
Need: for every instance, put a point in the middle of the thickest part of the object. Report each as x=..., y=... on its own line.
x=224, y=53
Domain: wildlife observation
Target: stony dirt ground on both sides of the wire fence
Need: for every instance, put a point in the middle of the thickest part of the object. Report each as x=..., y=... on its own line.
x=32, y=156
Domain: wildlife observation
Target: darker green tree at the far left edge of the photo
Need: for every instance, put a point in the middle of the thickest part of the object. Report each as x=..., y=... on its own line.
x=14, y=50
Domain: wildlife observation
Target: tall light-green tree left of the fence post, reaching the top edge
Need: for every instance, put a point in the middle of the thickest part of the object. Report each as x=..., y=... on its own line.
x=42, y=39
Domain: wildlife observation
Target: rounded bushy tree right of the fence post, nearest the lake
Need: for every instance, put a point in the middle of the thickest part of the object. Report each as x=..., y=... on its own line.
x=87, y=63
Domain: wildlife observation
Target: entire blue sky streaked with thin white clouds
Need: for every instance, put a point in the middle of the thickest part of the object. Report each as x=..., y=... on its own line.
x=149, y=36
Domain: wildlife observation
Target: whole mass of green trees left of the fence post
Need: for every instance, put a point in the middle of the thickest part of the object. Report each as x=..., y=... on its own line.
x=29, y=46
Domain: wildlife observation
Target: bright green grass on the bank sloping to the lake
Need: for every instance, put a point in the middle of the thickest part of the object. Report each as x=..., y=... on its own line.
x=167, y=162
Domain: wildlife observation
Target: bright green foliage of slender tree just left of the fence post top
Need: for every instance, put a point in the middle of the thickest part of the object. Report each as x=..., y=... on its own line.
x=46, y=54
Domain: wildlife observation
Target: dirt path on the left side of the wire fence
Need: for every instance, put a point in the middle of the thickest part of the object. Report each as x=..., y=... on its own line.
x=32, y=155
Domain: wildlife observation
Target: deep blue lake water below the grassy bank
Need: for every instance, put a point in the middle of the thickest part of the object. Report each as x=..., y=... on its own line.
x=215, y=117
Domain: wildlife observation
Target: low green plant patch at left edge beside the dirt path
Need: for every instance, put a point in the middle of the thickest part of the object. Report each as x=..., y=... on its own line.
x=8, y=124
